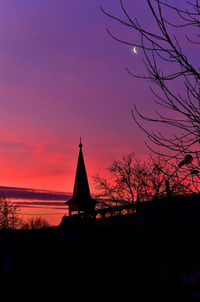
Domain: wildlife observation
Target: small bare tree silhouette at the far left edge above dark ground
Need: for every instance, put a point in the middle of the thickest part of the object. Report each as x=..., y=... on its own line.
x=9, y=219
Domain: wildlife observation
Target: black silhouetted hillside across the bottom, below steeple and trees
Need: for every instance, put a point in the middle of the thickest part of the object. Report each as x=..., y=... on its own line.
x=140, y=252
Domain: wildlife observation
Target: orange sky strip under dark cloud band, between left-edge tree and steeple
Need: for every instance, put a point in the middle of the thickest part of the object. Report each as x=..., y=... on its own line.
x=50, y=210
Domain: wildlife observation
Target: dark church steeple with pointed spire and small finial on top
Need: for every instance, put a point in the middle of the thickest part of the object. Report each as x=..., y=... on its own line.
x=81, y=203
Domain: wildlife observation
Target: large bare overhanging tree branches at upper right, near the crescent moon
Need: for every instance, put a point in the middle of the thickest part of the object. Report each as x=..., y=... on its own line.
x=174, y=27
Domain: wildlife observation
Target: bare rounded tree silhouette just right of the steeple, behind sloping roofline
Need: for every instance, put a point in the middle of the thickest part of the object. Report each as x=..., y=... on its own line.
x=131, y=180
